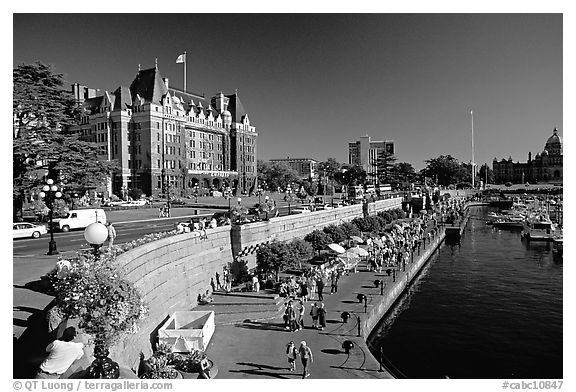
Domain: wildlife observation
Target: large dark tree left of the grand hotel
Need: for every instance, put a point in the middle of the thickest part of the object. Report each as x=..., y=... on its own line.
x=42, y=141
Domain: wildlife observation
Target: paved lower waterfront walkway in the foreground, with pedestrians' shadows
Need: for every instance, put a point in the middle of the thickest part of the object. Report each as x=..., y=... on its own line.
x=257, y=349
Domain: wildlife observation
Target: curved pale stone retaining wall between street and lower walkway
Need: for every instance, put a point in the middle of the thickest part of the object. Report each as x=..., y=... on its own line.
x=170, y=273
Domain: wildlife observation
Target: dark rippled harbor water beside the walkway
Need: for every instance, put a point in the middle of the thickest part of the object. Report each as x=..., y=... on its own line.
x=489, y=307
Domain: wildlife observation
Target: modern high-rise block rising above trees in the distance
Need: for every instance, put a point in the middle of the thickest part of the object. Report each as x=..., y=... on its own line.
x=366, y=152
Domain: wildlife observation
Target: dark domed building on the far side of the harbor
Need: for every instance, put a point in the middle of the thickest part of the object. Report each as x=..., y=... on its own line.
x=545, y=167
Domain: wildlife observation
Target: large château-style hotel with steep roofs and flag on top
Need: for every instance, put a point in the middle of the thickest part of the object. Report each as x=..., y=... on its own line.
x=166, y=140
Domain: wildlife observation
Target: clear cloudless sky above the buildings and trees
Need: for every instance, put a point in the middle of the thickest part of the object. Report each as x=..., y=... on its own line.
x=311, y=83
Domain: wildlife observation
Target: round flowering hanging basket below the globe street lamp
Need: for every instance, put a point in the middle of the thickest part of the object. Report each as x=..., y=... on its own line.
x=93, y=290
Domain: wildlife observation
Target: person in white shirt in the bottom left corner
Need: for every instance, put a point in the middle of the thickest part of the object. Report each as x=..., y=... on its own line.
x=62, y=354
